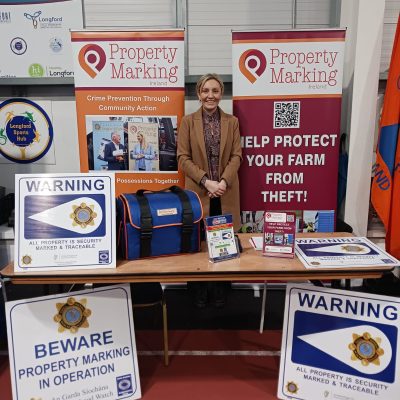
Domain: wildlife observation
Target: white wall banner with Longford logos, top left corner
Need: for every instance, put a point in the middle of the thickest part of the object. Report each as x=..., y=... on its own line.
x=35, y=39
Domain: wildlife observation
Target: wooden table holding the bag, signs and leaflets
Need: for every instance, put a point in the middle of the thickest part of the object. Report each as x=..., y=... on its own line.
x=251, y=266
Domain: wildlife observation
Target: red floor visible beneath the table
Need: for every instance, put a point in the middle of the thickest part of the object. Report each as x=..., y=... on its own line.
x=200, y=377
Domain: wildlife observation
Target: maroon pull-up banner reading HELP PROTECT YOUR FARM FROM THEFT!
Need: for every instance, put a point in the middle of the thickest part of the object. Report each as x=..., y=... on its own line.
x=287, y=89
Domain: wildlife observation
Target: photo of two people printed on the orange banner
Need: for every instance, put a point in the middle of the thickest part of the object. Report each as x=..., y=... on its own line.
x=131, y=143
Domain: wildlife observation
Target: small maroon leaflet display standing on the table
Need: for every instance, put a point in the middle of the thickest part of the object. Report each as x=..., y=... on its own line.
x=279, y=233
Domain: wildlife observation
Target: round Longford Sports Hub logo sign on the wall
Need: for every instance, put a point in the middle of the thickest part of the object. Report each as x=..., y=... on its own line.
x=26, y=132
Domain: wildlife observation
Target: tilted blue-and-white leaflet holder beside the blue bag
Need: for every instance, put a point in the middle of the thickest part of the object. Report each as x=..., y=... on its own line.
x=220, y=238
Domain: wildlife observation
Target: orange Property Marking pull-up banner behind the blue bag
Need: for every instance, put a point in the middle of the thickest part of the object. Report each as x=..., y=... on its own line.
x=129, y=89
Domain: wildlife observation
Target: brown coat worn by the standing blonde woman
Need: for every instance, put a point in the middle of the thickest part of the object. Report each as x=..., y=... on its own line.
x=192, y=160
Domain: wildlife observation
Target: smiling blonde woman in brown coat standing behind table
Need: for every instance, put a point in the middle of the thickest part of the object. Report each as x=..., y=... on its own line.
x=209, y=154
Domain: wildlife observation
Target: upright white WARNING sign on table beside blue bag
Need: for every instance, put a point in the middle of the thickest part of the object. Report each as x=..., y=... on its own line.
x=64, y=222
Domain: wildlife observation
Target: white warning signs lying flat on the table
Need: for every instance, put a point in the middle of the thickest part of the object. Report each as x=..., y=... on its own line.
x=342, y=252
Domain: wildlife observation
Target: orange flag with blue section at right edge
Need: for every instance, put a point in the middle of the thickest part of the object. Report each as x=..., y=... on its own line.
x=385, y=191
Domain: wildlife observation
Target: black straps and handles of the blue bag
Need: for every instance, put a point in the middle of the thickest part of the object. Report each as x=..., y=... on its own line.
x=146, y=221
